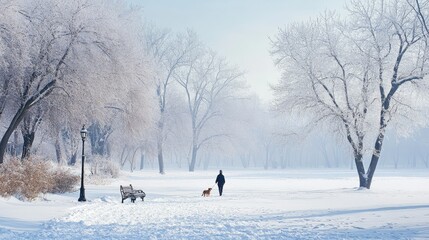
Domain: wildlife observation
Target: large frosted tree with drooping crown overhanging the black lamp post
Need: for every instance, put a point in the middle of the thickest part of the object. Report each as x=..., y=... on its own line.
x=78, y=52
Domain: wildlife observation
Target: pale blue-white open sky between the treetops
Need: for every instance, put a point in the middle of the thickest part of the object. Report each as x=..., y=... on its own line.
x=239, y=30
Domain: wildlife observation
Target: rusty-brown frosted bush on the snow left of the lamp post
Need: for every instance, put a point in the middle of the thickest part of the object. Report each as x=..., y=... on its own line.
x=27, y=179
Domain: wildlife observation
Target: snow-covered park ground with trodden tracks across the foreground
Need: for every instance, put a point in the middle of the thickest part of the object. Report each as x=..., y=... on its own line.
x=300, y=204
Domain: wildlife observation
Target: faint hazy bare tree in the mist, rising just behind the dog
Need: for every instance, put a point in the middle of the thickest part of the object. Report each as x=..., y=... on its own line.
x=208, y=83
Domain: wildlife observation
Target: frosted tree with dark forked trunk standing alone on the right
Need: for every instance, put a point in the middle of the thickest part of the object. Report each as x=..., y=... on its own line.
x=355, y=75
